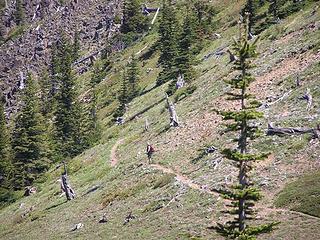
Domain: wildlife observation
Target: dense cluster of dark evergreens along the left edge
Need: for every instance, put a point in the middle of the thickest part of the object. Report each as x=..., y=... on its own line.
x=53, y=122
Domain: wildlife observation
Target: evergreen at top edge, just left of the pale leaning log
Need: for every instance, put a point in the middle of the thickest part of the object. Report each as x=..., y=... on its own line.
x=133, y=19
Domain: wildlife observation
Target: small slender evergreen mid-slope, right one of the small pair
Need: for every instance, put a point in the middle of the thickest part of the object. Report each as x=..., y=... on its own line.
x=133, y=78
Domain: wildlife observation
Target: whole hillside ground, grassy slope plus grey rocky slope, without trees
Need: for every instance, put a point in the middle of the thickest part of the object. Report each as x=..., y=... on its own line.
x=119, y=195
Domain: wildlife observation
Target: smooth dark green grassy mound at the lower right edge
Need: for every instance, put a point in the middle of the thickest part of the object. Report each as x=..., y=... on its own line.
x=302, y=195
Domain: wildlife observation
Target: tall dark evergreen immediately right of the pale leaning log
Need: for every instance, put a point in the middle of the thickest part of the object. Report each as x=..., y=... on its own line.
x=168, y=32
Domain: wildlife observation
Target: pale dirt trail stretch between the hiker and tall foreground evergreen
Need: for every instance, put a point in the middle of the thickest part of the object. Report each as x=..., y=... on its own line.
x=183, y=179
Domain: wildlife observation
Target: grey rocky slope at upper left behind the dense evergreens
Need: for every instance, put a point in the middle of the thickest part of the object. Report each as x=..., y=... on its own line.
x=30, y=51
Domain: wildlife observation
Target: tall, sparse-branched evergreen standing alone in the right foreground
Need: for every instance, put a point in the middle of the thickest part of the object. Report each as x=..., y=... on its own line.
x=244, y=194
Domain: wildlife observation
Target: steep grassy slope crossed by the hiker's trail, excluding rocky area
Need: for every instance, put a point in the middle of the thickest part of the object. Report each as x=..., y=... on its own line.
x=176, y=202
